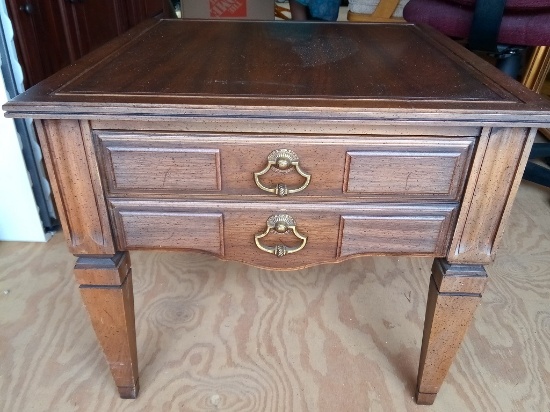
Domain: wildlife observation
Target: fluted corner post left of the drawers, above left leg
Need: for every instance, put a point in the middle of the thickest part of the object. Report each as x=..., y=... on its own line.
x=76, y=185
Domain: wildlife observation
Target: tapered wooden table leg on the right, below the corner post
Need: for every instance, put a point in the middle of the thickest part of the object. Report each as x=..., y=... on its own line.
x=455, y=291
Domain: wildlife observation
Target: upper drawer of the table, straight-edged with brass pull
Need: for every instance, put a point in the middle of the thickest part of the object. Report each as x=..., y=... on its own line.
x=400, y=168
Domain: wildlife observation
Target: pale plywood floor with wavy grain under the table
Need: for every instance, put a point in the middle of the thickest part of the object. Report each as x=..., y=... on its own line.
x=228, y=337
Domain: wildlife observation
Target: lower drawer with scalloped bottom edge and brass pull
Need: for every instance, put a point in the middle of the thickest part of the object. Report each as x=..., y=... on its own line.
x=283, y=236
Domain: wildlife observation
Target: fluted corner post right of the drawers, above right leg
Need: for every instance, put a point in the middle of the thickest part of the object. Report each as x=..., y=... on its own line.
x=491, y=190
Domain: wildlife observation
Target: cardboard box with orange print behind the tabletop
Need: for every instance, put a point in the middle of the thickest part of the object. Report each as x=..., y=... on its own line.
x=228, y=9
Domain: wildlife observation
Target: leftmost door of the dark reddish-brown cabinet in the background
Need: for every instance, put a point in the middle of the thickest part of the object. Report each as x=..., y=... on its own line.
x=40, y=38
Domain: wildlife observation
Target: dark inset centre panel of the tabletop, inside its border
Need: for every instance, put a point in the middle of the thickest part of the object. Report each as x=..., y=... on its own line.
x=288, y=59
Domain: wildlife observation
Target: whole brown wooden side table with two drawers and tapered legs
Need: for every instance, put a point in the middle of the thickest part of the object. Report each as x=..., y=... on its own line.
x=283, y=145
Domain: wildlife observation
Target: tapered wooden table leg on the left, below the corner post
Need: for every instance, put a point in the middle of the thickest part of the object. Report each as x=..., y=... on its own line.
x=106, y=290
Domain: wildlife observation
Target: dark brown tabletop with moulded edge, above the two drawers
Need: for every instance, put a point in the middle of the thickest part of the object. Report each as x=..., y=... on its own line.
x=174, y=67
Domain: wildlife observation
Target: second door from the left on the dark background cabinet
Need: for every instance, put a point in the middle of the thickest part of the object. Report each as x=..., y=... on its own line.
x=92, y=23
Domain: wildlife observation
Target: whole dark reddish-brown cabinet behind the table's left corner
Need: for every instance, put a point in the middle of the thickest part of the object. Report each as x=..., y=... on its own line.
x=51, y=34
